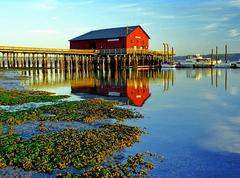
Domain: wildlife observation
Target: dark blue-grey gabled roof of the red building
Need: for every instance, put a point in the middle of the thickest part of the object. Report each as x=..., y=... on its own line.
x=107, y=33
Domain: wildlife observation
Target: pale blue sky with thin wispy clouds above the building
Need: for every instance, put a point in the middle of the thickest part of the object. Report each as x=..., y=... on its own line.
x=190, y=26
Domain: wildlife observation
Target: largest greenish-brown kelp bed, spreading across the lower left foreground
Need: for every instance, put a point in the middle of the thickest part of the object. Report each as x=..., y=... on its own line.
x=71, y=147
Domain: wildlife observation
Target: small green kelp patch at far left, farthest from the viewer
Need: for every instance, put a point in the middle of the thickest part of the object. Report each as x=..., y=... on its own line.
x=13, y=97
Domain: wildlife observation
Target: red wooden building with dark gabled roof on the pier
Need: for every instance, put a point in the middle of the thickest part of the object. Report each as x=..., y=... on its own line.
x=113, y=38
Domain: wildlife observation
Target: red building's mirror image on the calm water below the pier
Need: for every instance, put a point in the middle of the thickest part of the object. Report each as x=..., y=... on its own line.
x=137, y=90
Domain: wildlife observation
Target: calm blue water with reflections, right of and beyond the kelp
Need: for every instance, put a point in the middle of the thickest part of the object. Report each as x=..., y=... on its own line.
x=192, y=116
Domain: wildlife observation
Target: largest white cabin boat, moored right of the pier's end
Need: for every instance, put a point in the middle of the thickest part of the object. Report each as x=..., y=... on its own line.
x=198, y=61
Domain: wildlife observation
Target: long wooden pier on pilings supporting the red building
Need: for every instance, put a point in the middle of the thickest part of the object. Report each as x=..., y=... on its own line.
x=54, y=58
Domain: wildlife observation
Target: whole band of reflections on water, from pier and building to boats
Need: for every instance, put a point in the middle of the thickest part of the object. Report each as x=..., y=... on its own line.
x=128, y=86
